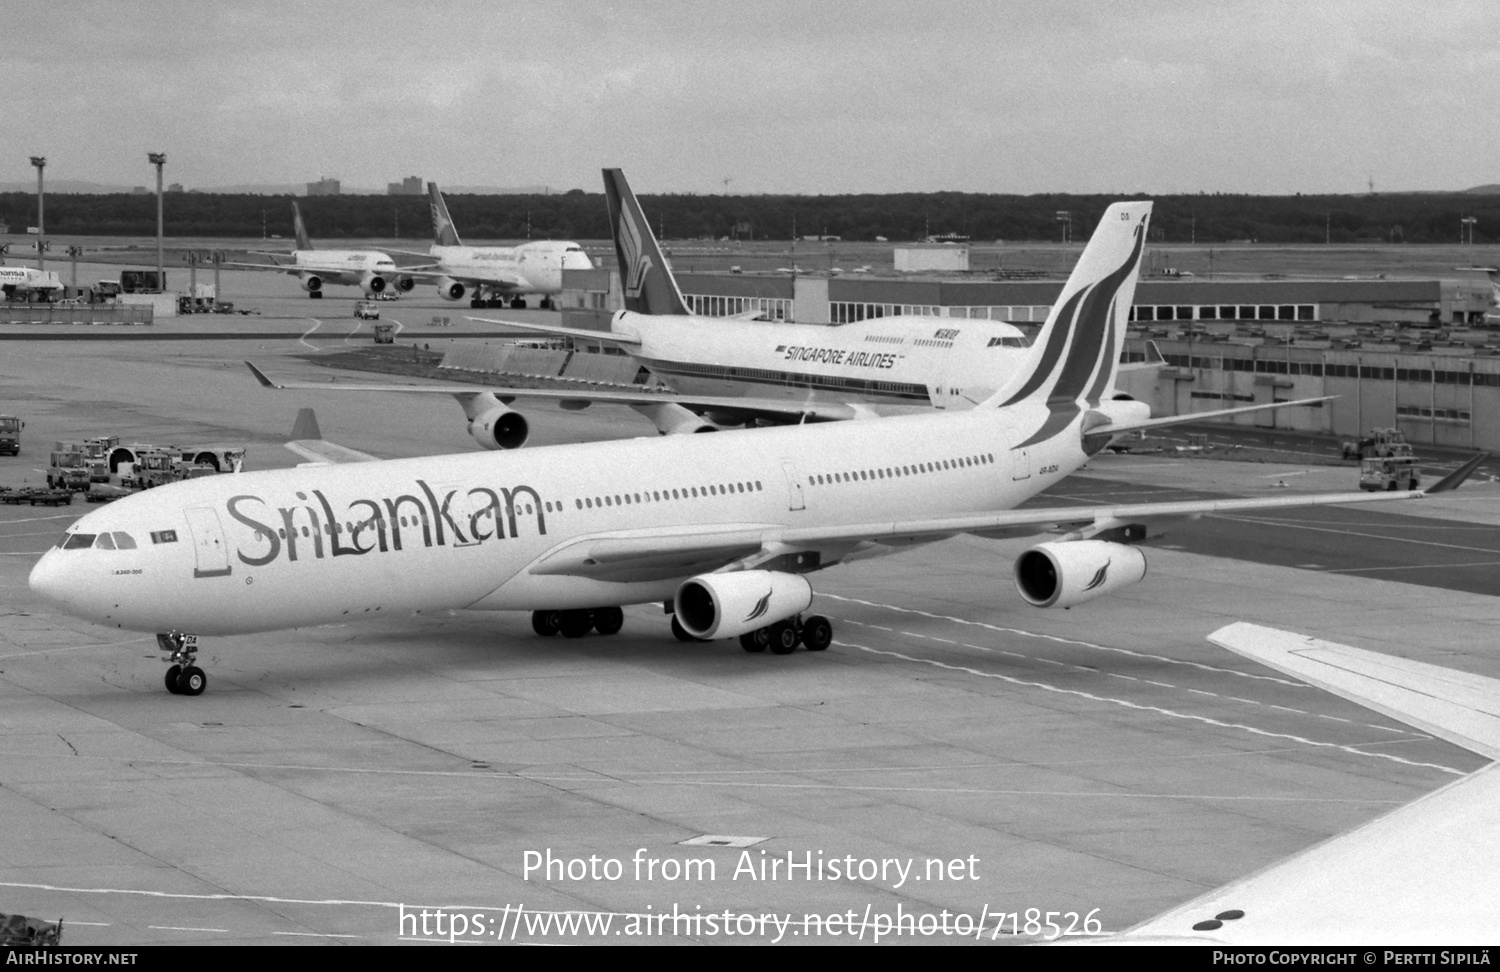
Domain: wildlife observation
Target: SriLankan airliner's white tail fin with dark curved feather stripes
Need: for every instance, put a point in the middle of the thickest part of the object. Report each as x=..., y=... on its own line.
x=1076, y=355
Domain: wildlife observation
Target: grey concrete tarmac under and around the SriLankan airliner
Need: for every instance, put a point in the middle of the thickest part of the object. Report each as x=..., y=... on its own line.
x=335, y=784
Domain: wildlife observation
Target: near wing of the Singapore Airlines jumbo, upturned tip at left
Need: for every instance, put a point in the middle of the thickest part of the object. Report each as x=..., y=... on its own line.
x=776, y=410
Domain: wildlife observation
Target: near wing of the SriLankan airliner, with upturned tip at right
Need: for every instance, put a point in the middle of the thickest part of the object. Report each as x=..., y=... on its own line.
x=634, y=556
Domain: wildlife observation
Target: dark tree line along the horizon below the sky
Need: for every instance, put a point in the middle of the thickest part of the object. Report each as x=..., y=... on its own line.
x=1205, y=218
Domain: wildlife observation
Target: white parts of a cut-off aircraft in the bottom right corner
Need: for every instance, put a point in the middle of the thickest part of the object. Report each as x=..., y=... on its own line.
x=1421, y=875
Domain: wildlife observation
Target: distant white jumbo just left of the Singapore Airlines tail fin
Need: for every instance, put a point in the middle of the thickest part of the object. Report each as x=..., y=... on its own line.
x=493, y=275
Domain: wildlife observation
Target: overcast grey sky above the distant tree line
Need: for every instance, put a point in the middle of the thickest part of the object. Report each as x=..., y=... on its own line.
x=778, y=95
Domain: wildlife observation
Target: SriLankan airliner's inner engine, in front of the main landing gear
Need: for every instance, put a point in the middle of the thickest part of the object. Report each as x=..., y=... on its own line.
x=733, y=604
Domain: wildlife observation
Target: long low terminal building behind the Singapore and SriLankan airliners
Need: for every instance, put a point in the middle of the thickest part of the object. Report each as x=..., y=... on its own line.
x=1411, y=355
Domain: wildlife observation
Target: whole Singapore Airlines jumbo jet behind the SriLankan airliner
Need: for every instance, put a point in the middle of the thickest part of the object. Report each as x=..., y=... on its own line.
x=734, y=371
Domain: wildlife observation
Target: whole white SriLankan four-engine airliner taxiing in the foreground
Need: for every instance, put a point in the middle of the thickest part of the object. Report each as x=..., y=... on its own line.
x=725, y=530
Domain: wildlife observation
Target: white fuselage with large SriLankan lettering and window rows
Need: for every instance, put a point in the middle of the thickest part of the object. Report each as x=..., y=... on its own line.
x=314, y=545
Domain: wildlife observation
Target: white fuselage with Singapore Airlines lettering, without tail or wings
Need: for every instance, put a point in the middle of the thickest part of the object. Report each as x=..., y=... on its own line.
x=898, y=361
